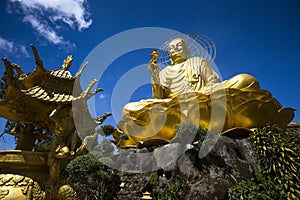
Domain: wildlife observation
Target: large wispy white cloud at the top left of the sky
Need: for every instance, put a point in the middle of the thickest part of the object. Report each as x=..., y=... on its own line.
x=47, y=16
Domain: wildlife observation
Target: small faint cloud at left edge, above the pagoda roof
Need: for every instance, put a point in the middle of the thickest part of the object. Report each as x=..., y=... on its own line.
x=9, y=47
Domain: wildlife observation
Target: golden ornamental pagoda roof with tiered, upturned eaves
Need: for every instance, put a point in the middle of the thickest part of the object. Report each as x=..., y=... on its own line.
x=31, y=98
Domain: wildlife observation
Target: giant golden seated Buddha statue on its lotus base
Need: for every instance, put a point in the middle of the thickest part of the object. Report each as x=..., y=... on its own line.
x=185, y=90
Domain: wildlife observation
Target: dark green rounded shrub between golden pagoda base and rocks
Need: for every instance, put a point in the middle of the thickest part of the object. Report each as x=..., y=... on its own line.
x=89, y=177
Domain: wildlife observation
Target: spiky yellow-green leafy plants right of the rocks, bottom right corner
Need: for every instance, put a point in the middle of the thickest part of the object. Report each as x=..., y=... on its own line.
x=279, y=160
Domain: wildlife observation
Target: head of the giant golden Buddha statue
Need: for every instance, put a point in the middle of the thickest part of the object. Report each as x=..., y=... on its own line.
x=178, y=50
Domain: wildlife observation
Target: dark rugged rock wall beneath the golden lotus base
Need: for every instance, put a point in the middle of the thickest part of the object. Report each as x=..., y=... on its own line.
x=229, y=162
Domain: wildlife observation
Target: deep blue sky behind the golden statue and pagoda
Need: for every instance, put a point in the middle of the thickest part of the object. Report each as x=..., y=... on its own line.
x=256, y=37
